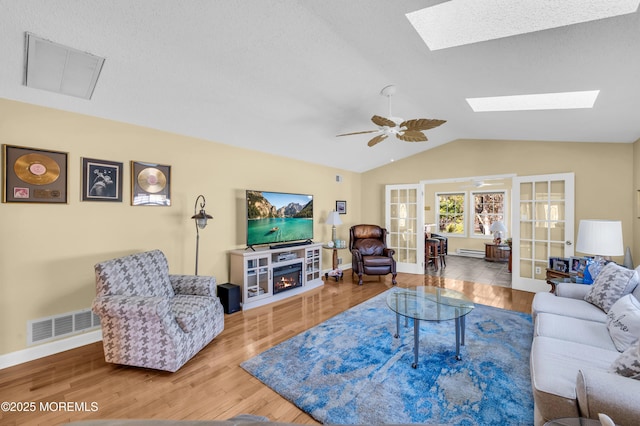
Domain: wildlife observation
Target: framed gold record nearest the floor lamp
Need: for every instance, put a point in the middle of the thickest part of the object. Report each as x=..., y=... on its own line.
x=150, y=184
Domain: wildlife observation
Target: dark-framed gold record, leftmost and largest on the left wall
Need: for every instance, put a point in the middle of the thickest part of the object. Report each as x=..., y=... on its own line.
x=34, y=175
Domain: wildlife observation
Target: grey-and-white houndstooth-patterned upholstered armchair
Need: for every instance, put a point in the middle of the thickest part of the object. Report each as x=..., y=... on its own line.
x=153, y=319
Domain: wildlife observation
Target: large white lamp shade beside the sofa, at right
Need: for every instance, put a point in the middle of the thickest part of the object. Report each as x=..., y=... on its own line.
x=600, y=237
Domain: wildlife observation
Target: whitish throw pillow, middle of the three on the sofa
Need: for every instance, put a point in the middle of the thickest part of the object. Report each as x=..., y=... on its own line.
x=623, y=322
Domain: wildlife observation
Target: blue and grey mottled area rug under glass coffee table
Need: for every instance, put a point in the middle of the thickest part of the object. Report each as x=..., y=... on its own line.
x=351, y=370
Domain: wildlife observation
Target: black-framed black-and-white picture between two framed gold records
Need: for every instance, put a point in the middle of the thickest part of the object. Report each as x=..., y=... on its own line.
x=101, y=180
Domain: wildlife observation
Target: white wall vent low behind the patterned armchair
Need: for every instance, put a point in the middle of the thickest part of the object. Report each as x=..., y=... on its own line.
x=64, y=325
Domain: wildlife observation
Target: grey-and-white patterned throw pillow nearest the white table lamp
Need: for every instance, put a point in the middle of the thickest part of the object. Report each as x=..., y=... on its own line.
x=613, y=282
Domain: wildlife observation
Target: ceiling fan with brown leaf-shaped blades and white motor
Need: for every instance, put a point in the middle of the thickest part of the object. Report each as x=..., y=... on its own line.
x=408, y=131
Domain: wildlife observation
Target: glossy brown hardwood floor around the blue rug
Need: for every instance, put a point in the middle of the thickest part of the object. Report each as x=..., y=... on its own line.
x=211, y=386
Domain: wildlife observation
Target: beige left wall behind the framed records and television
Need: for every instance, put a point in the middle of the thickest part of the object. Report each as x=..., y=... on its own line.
x=47, y=252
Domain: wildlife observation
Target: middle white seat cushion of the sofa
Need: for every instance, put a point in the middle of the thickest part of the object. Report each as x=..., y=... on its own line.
x=576, y=330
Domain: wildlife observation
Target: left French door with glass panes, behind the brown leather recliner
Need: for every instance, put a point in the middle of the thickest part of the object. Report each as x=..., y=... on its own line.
x=404, y=222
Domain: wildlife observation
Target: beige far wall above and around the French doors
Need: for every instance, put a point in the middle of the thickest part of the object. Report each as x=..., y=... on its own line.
x=604, y=174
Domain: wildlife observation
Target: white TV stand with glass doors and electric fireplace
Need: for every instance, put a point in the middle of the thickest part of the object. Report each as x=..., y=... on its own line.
x=253, y=271
